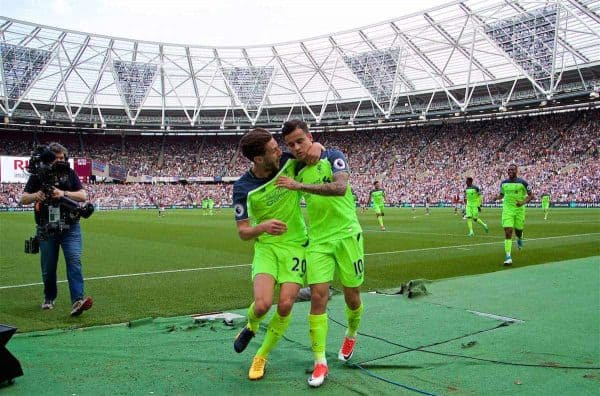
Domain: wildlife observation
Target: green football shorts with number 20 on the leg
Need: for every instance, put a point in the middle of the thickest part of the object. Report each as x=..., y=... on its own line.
x=286, y=262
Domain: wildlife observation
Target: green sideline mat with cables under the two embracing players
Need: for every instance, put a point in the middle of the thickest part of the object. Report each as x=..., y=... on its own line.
x=557, y=324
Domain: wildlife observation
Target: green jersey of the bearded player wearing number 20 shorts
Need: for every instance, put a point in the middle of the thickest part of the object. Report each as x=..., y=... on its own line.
x=271, y=202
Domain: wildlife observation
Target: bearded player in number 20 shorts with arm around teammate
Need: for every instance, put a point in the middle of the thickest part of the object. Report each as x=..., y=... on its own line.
x=272, y=217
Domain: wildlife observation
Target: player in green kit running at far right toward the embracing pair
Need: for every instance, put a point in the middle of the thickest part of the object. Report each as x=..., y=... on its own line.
x=515, y=194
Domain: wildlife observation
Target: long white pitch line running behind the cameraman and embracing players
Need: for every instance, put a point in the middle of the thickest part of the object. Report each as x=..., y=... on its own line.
x=247, y=265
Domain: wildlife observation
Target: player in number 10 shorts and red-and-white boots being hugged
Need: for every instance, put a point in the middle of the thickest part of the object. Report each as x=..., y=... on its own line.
x=336, y=241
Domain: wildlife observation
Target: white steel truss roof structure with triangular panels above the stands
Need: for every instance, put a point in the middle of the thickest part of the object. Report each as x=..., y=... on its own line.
x=456, y=58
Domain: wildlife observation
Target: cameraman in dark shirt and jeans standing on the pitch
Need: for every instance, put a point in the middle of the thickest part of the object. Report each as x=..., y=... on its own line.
x=69, y=239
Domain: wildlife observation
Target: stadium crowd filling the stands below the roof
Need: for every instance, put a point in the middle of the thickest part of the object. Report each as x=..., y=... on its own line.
x=557, y=154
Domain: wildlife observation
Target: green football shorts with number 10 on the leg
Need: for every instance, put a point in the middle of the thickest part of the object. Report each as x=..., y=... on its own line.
x=346, y=256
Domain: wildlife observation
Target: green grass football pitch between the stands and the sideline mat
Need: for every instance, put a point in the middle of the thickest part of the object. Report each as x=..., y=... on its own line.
x=139, y=265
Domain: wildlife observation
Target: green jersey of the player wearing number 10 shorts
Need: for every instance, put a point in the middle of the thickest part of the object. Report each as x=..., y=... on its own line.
x=329, y=217
